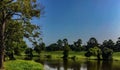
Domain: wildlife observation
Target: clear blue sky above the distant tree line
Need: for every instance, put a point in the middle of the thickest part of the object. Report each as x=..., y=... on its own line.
x=74, y=19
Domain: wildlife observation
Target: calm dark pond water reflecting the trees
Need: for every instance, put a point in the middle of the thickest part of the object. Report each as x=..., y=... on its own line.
x=80, y=65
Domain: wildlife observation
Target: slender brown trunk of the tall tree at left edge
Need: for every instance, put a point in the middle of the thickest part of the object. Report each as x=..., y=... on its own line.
x=2, y=45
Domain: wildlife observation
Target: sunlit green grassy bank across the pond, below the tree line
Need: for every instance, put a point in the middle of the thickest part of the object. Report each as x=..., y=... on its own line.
x=78, y=55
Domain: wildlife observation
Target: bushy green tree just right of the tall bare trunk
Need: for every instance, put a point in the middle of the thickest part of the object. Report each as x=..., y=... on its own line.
x=14, y=39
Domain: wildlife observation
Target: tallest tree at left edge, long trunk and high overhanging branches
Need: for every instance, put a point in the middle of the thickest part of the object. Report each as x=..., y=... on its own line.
x=16, y=10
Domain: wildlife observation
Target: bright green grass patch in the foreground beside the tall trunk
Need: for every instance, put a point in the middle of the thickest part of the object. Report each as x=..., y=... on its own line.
x=22, y=65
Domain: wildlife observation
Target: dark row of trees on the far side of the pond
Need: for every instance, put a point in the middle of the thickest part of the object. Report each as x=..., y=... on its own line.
x=93, y=48
